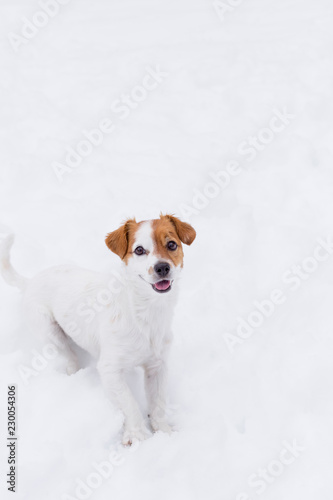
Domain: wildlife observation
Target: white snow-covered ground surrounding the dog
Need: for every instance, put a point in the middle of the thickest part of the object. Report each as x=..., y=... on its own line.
x=235, y=410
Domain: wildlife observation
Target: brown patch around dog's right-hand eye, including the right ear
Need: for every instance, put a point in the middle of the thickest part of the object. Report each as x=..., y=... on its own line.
x=169, y=228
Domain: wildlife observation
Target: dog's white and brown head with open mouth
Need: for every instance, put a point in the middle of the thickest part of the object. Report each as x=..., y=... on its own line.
x=152, y=250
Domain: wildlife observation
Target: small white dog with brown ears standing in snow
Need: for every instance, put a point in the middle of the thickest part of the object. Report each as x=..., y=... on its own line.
x=124, y=319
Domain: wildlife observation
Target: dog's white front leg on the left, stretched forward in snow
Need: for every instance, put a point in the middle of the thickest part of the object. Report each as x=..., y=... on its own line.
x=118, y=391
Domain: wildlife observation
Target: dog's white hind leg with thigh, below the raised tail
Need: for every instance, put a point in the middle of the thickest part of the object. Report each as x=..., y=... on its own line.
x=43, y=323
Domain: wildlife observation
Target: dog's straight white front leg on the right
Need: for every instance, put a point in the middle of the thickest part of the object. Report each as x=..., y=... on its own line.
x=155, y=383
